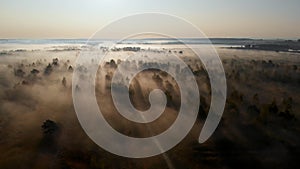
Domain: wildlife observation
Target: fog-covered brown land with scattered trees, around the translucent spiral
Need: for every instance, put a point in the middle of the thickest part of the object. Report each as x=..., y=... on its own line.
x=259, y=127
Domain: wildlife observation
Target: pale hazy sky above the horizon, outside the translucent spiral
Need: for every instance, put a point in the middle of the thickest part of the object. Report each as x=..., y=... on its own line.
x=216, y=18
